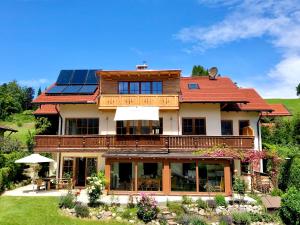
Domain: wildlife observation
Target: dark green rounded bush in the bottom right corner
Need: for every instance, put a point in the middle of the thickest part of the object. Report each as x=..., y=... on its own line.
x=290, y=207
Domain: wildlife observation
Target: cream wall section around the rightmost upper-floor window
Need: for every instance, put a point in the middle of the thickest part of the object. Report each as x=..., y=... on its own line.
x=236, y=116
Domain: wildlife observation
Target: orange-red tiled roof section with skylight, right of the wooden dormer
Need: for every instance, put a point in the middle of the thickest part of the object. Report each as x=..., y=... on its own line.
x=218, y=90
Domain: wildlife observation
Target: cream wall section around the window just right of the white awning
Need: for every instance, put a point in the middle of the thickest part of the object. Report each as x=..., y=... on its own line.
x=209, y=111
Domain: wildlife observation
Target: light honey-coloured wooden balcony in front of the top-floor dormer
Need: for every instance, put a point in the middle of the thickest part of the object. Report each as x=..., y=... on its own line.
x=162, y=101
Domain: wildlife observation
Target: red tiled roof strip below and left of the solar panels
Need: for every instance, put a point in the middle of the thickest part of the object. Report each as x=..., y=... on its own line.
x=65, y=99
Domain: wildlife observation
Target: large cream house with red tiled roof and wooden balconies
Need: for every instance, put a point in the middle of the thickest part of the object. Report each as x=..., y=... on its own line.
x=142, y=127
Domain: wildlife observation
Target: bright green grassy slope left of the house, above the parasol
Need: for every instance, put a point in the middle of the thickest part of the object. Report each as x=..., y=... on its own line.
x=25, y=119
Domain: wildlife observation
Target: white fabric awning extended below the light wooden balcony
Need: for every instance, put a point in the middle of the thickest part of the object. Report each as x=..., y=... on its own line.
x=137, y=113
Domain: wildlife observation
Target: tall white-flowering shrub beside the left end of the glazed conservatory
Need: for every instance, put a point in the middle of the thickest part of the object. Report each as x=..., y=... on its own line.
x=96, y=185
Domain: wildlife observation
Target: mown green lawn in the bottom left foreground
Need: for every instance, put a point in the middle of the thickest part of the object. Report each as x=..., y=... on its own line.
x=38, y=211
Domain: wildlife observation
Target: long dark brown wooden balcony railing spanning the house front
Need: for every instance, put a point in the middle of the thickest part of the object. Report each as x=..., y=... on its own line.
x=61, y=143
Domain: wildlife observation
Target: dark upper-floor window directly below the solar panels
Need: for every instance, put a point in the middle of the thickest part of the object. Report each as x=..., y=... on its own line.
x=82, y=126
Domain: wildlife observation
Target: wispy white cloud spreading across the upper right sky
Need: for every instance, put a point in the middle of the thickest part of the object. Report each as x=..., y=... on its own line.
x=277, y=19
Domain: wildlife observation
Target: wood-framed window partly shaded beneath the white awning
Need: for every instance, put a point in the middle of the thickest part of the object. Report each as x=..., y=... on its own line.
x=139, y=127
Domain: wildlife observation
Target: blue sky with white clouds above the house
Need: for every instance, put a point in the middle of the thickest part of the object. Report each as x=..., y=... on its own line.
x=254, y=42
